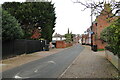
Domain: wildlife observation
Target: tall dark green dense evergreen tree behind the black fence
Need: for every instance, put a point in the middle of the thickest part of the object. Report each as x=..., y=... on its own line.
x=32, y=15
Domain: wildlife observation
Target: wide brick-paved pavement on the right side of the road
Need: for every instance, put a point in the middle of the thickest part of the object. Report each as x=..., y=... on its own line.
x=90, y=64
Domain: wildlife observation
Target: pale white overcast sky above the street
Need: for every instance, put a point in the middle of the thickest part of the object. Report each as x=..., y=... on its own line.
x=69, y=15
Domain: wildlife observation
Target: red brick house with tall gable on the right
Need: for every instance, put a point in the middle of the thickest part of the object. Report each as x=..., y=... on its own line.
x=102, y=21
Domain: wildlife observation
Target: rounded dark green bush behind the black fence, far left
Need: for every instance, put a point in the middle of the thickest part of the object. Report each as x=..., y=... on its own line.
x=10, y=27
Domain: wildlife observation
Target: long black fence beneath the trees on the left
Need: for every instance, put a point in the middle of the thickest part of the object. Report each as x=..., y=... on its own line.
x=17, y=47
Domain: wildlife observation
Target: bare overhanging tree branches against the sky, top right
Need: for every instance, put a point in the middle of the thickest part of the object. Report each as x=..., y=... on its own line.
x=97, y=7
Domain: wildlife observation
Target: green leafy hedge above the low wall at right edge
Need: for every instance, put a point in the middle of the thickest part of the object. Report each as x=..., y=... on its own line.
x=111, y=35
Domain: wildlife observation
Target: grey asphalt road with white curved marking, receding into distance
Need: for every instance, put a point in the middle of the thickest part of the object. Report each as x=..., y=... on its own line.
x=49, y=67
